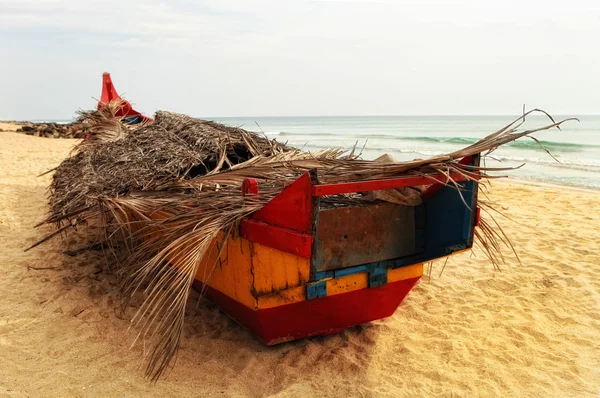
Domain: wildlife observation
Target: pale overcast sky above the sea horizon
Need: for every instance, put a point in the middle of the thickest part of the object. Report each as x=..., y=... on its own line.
x=294, y=58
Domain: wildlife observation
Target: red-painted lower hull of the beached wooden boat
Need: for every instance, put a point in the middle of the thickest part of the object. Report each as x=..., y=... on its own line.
x=322, y=316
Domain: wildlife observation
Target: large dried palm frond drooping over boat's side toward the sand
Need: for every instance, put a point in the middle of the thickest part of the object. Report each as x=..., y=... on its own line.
x=168, y=253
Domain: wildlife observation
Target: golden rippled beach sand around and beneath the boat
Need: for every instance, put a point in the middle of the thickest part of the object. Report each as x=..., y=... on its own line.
x=529, y=330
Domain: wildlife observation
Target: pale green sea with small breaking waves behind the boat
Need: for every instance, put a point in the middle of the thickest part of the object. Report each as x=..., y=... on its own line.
x=576, y=146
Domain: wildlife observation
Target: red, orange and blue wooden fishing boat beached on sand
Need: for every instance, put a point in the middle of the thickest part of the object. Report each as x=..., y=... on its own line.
x=306, y=265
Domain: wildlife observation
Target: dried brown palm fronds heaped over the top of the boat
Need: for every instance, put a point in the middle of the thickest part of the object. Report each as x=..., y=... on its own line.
x=165, y=192
